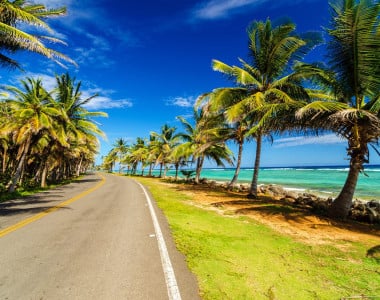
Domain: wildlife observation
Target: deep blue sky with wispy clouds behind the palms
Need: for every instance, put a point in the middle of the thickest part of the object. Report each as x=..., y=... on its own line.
x=150, y=60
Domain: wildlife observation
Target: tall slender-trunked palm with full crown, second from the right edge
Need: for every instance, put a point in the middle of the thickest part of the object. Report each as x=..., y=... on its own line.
x=264, y=87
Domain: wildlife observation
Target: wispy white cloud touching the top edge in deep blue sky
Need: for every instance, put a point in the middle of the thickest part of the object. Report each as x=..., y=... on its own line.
x=215, y=9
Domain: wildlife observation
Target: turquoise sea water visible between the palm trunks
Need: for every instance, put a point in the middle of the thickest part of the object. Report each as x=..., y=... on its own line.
x=326, y=180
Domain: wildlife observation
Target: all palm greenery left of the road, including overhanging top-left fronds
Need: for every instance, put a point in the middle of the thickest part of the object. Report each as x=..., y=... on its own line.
x=44, y=135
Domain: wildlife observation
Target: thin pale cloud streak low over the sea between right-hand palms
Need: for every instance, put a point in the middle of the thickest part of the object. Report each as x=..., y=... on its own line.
x=308, y=140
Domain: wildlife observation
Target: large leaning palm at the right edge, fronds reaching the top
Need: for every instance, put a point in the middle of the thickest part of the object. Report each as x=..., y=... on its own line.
x=353, y=79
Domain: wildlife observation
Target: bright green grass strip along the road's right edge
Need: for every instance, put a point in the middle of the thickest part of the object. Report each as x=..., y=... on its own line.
x=238, y=258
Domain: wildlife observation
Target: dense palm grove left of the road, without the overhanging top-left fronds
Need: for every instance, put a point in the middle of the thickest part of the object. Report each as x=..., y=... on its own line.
x=45, y=135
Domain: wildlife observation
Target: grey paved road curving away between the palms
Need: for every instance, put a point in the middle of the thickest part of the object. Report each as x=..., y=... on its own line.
x=99, y=245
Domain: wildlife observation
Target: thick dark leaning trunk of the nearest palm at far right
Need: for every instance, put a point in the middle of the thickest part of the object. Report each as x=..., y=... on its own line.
x=342, y=204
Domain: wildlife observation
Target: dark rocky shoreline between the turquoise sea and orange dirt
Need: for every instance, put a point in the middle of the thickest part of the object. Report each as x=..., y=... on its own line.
x=363, y=211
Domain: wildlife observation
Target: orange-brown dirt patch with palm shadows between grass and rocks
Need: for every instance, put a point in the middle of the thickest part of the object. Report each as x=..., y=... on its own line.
x=298, y=222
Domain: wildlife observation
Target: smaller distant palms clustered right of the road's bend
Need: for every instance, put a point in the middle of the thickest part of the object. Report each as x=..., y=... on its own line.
x=168, y=148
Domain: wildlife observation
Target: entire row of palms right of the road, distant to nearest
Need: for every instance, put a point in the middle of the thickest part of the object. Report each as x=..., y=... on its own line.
x=276, y=93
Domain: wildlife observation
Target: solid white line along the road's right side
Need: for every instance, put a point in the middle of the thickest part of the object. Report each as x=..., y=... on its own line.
x=171, y=282
